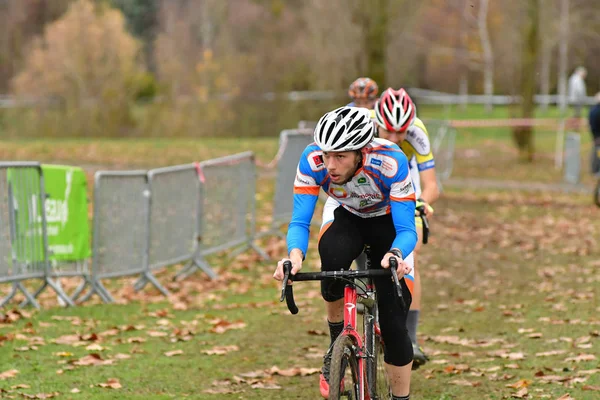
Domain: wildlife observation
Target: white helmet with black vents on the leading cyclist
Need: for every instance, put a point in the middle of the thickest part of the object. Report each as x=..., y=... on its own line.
x=344, y=129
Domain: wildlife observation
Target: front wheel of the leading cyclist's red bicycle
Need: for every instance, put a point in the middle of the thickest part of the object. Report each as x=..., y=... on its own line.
x=344, y=359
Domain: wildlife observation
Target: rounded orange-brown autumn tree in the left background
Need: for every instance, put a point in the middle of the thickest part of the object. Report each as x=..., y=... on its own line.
x=89, y=64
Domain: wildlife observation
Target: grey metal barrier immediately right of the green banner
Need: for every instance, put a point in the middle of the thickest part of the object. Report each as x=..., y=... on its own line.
x=121, y=231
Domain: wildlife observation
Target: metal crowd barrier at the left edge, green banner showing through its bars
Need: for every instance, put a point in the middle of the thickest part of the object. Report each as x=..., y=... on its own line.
x=23, y=231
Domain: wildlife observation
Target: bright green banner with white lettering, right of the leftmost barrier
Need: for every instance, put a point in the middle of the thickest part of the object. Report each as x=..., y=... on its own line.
x=66, y=213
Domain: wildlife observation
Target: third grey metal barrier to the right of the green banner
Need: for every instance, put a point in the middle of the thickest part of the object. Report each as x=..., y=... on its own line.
x=228, y=207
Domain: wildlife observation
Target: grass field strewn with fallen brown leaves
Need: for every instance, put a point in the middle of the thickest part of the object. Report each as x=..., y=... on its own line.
x=511, y=298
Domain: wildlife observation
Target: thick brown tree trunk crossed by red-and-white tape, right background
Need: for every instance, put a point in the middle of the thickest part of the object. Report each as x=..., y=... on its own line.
x=523, y=136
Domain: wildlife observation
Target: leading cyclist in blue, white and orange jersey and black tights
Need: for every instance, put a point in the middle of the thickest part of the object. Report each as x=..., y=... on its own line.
x=370, y=179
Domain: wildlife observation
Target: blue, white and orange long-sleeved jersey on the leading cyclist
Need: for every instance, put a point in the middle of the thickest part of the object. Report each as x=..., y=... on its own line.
x=382, y=185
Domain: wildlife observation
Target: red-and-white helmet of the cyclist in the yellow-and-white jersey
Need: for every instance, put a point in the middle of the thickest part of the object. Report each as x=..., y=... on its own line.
x=395, y=110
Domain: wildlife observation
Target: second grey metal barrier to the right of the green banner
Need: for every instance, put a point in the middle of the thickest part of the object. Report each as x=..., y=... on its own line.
x=175, y=219
